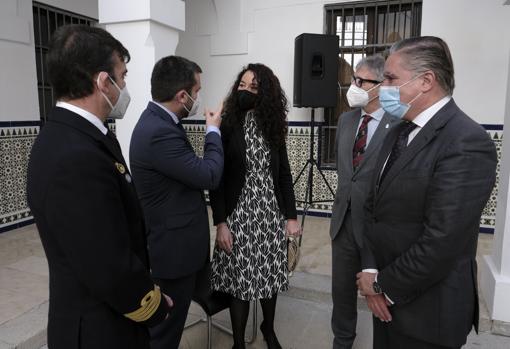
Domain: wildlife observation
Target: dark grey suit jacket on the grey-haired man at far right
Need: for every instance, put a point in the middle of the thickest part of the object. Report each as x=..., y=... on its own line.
x=424, y=221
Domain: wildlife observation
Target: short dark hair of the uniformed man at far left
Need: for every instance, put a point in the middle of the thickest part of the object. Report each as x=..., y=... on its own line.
x=76, y=54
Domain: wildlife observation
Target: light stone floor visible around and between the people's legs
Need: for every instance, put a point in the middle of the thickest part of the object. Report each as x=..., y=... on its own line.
x=303, y=314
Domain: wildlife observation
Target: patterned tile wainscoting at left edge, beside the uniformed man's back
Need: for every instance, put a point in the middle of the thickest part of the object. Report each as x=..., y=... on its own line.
x=16, y=140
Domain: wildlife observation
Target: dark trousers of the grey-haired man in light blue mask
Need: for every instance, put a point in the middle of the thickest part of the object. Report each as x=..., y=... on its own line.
x=386, y=337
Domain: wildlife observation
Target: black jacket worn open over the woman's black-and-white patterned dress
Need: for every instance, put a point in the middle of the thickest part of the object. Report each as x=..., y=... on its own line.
x=224, y=199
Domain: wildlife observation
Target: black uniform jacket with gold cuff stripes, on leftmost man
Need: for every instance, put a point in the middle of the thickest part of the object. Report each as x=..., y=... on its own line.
x=92, y=230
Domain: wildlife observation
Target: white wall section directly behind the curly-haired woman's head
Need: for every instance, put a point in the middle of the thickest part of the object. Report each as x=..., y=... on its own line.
x=224, y=35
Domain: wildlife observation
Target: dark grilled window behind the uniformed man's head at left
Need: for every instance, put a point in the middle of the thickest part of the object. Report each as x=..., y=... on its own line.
x=46, y=20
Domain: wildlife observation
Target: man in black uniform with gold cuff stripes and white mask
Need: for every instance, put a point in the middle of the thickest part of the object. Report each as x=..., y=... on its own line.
x=85, y=206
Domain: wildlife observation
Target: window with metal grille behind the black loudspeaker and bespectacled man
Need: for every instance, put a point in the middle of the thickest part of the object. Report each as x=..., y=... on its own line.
x=364, y=28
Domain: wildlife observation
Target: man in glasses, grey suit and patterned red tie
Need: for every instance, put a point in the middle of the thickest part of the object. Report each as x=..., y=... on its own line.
x=360, y=133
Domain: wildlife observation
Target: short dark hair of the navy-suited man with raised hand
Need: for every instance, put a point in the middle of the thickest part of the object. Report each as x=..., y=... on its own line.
x=170, y=75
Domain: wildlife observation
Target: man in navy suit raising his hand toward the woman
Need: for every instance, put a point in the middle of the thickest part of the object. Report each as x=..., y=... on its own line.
x=170, y=179
